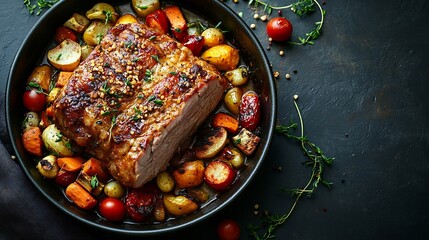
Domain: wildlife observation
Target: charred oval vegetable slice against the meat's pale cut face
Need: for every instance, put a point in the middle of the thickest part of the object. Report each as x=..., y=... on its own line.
x=210, y=143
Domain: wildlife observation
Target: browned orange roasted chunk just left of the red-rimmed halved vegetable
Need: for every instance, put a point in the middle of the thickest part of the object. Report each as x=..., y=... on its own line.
x=191, y=174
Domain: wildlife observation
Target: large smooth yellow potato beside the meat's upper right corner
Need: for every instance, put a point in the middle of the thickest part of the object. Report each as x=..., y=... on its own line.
x=223, y=57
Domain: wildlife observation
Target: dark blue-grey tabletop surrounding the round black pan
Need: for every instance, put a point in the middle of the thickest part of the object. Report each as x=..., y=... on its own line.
x=363, y=91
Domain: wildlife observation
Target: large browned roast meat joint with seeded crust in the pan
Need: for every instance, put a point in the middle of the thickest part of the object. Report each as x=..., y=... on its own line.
x=135, y=100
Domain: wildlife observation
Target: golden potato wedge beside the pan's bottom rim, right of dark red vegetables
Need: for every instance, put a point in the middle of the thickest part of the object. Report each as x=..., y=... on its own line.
x=179, y=205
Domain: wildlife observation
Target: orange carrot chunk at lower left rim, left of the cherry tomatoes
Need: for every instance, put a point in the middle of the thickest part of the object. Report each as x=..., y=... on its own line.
x=79, y=196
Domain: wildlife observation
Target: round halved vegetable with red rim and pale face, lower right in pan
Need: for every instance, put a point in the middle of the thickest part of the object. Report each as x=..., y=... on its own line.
x=219, y=175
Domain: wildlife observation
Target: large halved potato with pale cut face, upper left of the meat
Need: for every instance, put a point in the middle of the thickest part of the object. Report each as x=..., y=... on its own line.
x=65, y=56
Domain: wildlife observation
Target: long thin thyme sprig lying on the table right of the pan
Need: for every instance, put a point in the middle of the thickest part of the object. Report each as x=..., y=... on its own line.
x=316, y=159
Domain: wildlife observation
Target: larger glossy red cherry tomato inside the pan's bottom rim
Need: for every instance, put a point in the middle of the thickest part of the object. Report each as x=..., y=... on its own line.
x=112, y=209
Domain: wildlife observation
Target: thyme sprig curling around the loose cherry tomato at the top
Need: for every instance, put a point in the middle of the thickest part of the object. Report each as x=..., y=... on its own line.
x=300, y=8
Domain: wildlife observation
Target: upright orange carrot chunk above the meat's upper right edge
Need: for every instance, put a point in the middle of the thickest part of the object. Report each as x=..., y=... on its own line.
x=178, y=23
